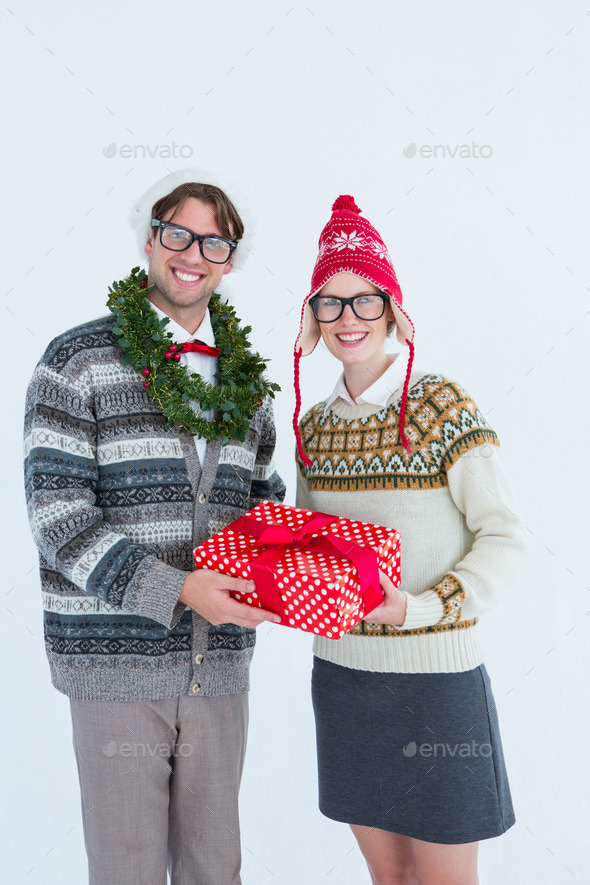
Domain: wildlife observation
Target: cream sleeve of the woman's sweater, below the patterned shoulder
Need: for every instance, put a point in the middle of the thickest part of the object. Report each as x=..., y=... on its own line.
x=481, y=491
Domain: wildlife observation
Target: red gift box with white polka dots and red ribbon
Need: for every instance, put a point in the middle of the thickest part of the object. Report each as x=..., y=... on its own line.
x=319, y=572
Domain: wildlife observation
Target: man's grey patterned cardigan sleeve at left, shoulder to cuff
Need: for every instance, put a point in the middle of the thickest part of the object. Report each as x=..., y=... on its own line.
x=61, y=475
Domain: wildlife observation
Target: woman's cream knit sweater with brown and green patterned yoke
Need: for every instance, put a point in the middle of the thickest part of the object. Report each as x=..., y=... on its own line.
x=462, y=542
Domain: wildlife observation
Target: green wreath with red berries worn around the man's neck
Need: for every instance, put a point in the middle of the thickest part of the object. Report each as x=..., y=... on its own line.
x=150, y=350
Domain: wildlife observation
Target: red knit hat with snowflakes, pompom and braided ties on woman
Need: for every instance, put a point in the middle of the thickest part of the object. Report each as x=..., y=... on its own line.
x=349, y=243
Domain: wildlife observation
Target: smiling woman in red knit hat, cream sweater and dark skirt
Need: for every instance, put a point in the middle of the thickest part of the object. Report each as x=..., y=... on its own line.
x=409, y=751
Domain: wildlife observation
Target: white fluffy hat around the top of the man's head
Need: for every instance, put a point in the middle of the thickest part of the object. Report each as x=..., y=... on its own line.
x=140, y=214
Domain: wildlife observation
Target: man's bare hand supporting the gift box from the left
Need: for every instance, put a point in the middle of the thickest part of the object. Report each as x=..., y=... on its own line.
x=207, y=593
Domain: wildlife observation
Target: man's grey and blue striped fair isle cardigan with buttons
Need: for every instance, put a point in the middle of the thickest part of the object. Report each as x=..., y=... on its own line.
x=117, y=501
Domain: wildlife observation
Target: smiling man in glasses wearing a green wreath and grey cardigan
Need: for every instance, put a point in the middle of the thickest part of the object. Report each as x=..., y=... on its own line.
x=128, y=468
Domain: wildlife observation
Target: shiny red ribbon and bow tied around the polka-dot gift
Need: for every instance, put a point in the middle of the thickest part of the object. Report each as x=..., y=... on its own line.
x=280, y=537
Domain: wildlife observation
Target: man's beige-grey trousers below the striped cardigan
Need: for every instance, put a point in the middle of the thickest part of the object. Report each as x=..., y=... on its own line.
x=159, y=783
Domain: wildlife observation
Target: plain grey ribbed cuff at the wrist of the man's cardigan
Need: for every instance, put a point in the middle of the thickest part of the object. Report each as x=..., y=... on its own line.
x=156, y=593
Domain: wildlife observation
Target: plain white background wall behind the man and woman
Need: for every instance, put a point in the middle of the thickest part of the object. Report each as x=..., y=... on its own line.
x=297, y=104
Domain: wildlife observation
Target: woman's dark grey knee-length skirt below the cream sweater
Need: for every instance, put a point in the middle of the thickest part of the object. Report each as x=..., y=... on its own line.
x=417, y=754
